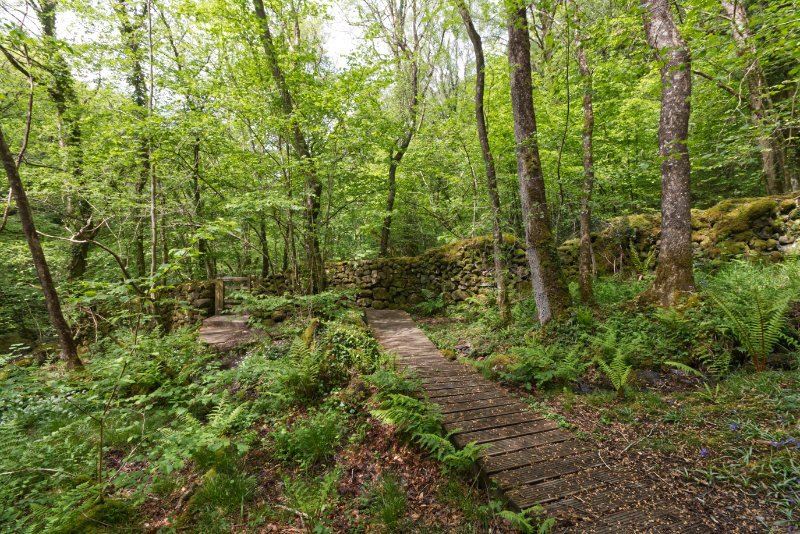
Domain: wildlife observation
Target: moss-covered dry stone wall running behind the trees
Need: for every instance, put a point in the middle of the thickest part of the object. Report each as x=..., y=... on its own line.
x=766, y=227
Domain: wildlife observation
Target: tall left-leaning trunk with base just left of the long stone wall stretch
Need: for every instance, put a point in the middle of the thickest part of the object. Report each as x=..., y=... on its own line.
x=311, y=202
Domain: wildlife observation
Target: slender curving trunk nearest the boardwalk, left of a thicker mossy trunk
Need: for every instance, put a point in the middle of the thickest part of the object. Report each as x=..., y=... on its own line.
x=503, y=305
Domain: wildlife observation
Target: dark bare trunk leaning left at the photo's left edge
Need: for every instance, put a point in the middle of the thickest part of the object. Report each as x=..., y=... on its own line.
x=69, y=352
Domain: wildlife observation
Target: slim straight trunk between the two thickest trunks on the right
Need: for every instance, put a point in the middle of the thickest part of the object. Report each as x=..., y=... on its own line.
x=585, y=271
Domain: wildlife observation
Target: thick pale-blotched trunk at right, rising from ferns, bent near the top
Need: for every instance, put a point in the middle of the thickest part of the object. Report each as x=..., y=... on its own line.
x=674, y=274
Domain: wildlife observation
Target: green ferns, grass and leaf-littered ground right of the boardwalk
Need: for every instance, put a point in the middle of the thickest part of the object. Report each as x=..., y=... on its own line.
x=713, y=381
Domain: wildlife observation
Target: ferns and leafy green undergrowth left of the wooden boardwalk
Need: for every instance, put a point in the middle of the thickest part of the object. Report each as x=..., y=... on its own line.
x=206, y=447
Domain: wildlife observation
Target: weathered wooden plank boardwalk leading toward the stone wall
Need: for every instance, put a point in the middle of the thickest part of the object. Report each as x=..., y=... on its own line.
x=531, y=459
